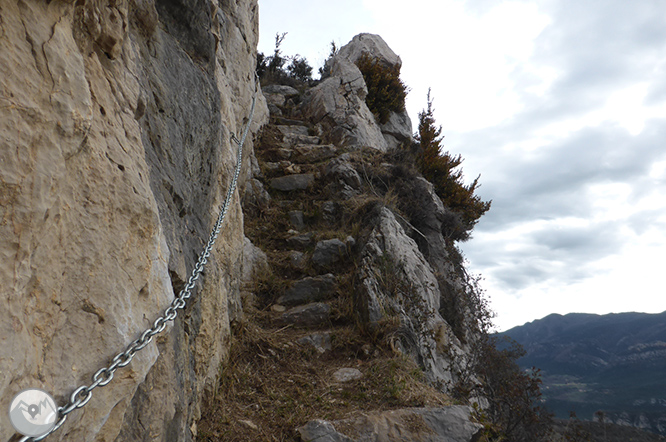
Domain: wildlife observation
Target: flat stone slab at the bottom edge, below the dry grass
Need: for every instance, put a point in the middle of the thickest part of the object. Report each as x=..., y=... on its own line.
x=446, y=424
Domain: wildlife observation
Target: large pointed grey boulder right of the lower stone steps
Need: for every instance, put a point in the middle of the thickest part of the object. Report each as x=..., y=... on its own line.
x=391, y=255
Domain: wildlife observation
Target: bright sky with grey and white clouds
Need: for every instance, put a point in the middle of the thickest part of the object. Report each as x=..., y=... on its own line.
x=561, y=107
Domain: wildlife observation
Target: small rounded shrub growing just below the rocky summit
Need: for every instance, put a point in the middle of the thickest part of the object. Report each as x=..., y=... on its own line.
x=386, y=92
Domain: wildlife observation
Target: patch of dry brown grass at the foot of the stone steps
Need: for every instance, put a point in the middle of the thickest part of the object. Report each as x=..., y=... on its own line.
x=272, y=385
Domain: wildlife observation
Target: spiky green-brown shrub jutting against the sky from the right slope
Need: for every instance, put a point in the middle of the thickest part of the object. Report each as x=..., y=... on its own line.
x=442, y=170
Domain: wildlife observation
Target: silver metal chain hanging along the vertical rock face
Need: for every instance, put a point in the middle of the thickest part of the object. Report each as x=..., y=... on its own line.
x=82, y=395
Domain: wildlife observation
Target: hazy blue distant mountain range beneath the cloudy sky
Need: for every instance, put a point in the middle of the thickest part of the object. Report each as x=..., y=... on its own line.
x=612, y=363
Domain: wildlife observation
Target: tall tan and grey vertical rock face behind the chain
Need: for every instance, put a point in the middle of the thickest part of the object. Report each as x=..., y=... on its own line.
x=115, y=121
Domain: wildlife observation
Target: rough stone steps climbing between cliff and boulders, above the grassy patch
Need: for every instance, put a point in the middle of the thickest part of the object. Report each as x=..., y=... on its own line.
x=292, y=159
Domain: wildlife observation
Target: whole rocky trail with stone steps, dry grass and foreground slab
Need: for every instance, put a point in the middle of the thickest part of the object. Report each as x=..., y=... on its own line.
x=302, y=365
